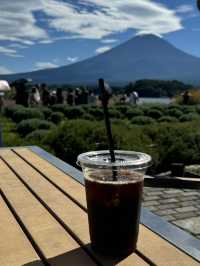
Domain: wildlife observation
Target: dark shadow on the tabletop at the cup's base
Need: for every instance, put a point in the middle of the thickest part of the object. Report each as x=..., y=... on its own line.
x=77, y=257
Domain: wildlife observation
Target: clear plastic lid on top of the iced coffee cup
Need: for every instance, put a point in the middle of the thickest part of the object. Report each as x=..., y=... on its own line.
x=127, y=159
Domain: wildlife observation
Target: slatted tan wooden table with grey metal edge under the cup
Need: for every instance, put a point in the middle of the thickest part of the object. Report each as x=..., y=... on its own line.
x=43, y=219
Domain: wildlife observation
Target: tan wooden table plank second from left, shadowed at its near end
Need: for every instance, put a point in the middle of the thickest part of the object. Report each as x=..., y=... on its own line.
x=58, y=247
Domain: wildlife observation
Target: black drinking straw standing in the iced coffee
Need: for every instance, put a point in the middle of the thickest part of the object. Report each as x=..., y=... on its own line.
x=105, y=95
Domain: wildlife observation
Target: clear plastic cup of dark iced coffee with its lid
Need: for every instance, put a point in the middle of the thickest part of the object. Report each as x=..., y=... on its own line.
x=114, y=196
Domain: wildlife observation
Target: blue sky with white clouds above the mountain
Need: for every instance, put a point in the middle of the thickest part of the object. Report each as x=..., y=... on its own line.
x=37, y=34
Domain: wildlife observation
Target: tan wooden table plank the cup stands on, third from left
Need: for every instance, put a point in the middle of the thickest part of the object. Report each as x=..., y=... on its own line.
x=70, y=213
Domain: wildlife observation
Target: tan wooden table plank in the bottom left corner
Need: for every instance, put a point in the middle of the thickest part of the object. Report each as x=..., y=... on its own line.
x=15, y=249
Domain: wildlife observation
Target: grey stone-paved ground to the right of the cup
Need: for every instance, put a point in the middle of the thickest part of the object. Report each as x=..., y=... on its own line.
x=178, y=206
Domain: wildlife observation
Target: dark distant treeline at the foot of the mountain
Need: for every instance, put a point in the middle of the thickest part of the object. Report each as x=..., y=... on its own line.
x=145, y=88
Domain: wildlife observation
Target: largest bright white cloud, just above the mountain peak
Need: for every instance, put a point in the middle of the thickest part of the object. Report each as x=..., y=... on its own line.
x=113, y=17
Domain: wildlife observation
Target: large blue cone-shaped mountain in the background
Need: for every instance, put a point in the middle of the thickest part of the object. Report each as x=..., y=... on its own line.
x=145, y=56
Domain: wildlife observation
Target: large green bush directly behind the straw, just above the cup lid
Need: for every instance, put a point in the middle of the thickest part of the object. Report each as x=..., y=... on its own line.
x=76, y=136
